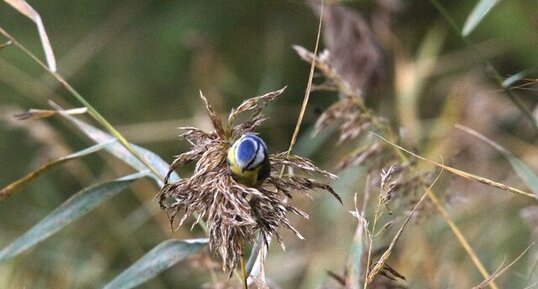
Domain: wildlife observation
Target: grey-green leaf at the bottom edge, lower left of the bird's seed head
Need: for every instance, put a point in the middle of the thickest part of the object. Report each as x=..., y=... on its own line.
x=160, y=258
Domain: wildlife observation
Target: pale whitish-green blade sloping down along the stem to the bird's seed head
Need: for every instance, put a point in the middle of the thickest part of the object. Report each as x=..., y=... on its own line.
x=123, y=154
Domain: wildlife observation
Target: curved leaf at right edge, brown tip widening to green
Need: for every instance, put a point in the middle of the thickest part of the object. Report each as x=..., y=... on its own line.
x=524, y=172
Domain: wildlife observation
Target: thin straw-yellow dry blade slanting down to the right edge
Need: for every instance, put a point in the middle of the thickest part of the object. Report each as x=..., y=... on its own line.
x=463, y=174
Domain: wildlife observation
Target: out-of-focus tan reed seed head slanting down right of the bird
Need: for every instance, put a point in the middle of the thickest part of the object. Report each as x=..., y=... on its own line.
x=354, y=120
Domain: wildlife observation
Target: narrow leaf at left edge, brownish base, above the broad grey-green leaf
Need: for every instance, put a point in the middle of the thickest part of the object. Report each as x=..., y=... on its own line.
x=17, y=185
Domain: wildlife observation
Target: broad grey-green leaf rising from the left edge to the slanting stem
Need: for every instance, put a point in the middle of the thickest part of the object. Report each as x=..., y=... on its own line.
x=75, y=207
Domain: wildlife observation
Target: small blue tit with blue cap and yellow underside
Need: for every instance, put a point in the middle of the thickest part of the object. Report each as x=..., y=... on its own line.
x=248, y=160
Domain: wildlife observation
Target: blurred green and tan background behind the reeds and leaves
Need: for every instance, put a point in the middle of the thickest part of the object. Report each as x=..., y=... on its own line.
x=142, y=65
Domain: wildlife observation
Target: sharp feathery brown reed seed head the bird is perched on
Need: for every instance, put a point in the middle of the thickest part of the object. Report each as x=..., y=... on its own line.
x=235, y=213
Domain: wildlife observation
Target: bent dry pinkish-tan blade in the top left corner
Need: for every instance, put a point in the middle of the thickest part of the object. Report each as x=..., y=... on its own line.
x=24, y=8
